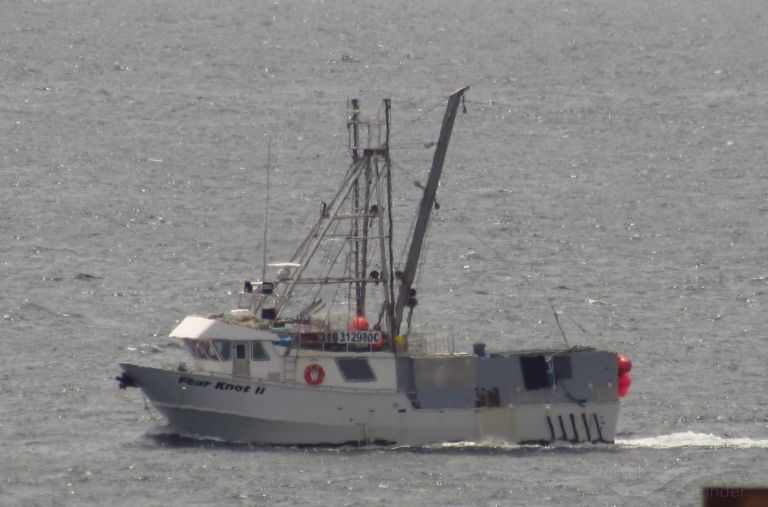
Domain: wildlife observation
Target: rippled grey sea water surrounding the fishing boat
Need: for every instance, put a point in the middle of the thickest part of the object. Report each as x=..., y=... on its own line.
x=611, y=167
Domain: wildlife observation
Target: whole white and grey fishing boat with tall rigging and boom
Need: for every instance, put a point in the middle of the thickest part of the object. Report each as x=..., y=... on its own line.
x=321, y=351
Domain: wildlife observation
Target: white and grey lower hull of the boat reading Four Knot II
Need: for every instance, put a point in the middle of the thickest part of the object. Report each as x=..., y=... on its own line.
x=247, y=410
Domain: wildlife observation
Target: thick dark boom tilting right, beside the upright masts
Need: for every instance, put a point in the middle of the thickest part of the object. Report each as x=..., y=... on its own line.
x=425, y=208
